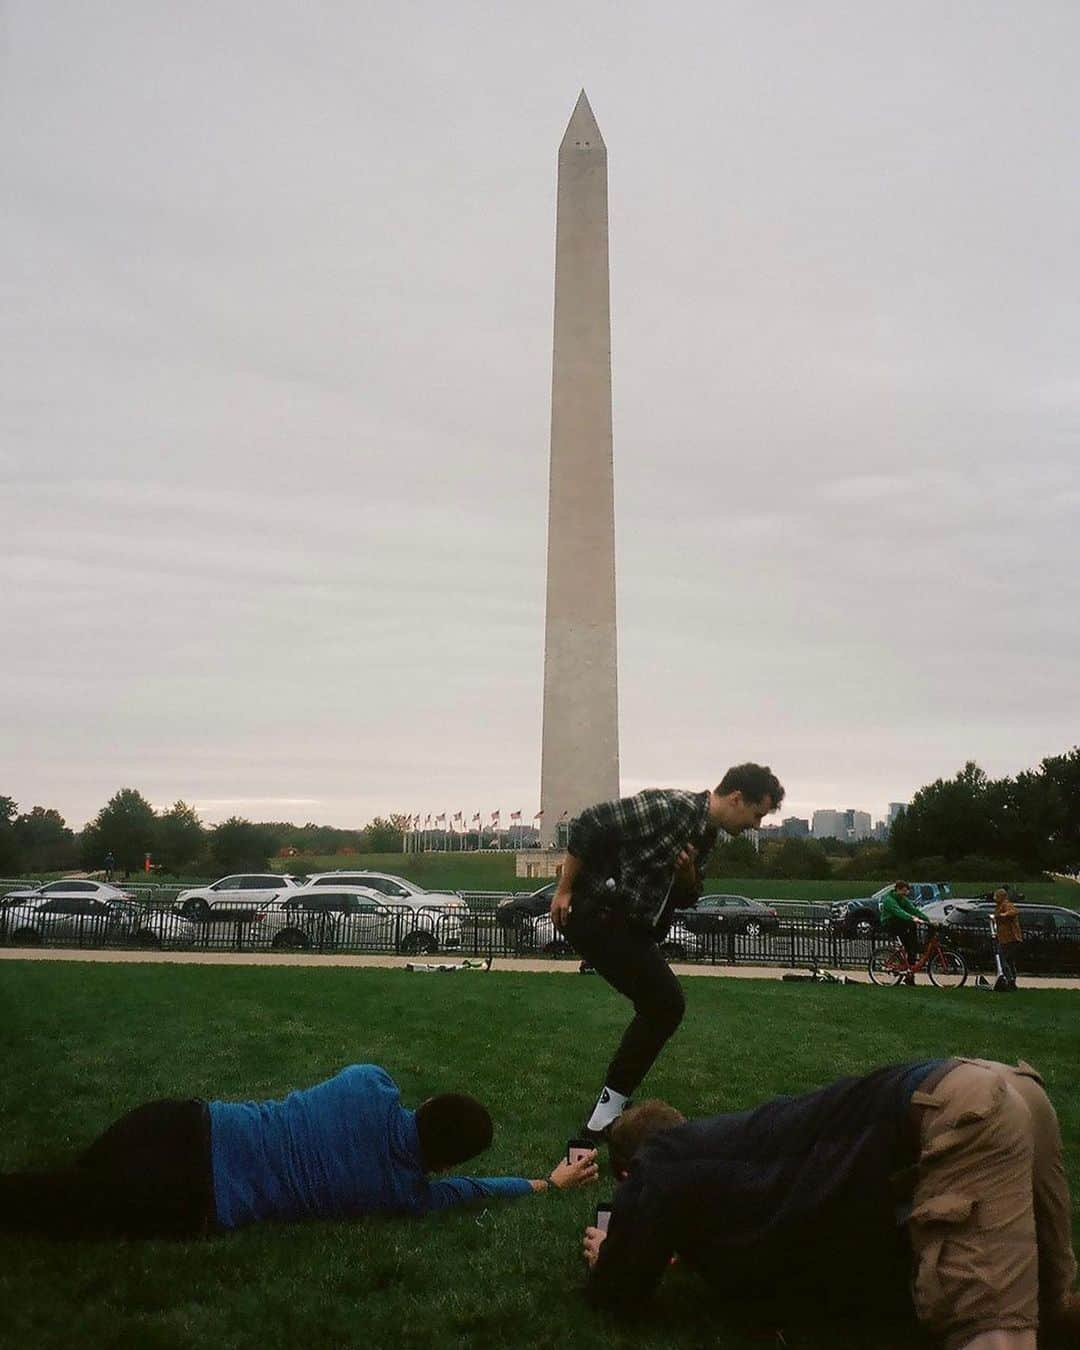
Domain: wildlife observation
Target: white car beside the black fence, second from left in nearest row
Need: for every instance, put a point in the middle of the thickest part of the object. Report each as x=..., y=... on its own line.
x=319, y=917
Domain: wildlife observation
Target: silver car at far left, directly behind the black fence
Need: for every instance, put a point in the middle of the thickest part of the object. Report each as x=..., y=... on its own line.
x=97, y=923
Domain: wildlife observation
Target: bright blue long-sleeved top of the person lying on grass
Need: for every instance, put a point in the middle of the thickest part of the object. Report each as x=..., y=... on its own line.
x=337, y=1151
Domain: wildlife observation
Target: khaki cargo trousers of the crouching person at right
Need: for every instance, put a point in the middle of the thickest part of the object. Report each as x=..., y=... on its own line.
x=992, y=1222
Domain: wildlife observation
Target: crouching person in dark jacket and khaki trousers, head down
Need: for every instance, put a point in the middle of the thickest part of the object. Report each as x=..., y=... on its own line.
x=938, y=1185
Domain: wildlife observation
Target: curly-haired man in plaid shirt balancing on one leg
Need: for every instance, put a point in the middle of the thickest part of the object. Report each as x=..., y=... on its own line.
x=630, y=865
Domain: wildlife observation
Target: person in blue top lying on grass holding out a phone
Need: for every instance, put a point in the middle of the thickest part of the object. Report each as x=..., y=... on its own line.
x=337, y=1151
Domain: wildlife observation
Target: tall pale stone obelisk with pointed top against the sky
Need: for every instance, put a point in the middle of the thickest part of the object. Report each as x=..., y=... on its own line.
x=580, y=757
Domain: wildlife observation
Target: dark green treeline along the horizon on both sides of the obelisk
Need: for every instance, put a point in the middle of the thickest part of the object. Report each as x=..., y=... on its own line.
x=966, y=828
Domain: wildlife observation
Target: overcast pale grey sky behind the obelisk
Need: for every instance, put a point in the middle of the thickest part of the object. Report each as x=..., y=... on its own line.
x=277, y=290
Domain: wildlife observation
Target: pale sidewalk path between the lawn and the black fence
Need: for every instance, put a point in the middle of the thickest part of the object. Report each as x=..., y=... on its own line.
x=398, y=963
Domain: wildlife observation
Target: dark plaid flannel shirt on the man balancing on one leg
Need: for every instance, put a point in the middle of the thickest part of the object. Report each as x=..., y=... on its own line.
x=635, y=842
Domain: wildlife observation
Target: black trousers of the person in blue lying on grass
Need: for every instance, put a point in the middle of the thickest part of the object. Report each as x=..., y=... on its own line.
x=148, y=1177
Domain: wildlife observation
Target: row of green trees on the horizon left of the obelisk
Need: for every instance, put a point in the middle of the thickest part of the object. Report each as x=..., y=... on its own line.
x=129, y=830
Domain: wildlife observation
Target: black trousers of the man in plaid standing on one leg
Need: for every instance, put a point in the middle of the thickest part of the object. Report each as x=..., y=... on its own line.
x=630, y=961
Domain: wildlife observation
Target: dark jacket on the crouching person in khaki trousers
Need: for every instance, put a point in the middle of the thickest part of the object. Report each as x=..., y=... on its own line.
x=776, y=1204
